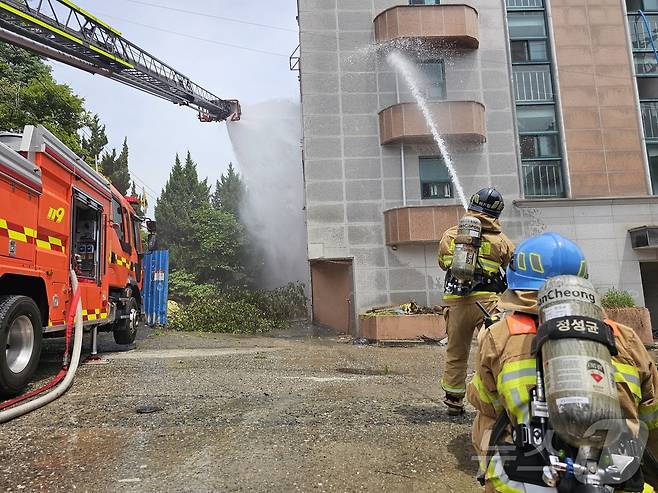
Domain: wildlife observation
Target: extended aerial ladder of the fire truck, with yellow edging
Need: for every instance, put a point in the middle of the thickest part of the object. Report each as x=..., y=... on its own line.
x=62, y=31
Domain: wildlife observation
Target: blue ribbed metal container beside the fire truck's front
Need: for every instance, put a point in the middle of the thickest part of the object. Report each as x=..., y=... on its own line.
x=156, y=286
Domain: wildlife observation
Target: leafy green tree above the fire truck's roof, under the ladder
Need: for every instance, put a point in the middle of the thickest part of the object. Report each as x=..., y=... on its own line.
x=30, y=96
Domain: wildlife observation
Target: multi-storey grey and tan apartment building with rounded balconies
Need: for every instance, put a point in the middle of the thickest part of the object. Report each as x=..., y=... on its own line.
x=553, y=102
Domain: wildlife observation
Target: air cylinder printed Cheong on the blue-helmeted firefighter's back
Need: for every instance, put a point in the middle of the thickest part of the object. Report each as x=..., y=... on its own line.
x=578, y=373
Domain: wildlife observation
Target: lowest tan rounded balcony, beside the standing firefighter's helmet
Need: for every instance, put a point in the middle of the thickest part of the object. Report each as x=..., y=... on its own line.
x=417, y=225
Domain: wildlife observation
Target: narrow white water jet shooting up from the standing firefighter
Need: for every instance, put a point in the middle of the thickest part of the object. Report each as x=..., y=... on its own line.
x=407, y=70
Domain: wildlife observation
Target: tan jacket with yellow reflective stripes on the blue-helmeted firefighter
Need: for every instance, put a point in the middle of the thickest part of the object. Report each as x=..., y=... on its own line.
x=506, y=371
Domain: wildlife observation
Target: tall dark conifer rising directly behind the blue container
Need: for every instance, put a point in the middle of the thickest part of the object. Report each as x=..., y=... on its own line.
x=181, y=196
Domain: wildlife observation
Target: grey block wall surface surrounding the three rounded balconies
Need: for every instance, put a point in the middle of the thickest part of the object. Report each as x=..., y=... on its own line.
x=351, y=180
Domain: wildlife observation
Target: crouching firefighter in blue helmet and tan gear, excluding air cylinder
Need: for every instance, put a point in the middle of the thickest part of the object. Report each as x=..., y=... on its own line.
x=504, y=378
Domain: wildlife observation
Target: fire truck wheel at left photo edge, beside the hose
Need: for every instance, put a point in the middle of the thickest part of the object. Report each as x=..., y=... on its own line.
x=20, y=334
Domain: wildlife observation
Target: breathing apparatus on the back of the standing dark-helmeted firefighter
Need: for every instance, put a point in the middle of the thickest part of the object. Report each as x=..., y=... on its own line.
x=466, y=274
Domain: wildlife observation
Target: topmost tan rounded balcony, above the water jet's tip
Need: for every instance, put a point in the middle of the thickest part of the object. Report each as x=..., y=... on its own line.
x=440, y=25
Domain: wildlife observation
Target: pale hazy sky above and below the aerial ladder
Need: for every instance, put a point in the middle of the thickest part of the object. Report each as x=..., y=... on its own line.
x=157, y=129
